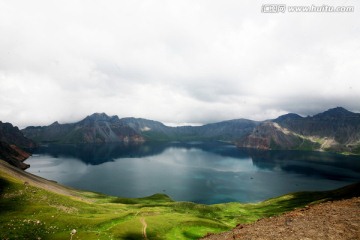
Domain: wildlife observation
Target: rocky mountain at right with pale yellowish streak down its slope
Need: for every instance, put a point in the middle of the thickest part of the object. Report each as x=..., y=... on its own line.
x=335, y=130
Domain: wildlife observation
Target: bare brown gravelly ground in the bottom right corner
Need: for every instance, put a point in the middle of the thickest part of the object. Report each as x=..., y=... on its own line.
x=337, y=220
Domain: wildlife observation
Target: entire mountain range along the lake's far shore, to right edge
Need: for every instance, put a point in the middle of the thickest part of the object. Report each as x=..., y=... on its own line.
x=336, y=129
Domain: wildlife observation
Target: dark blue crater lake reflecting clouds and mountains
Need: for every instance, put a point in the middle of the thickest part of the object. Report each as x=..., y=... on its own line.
x=201, y=172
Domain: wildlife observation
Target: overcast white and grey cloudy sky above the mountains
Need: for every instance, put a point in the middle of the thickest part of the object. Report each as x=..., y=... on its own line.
x=178, y=62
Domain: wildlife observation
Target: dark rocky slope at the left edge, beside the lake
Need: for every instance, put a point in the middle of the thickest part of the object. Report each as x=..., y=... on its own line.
x=12, y=141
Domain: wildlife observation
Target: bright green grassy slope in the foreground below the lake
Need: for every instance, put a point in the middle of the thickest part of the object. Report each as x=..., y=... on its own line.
x=35, y=208
